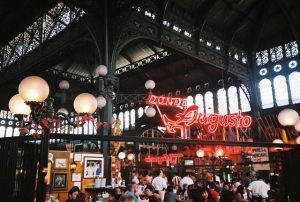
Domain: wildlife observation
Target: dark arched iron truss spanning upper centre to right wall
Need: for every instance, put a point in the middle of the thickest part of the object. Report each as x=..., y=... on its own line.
x=178, y=33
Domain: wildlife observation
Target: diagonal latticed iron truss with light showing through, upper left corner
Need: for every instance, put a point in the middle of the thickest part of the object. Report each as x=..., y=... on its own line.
x=46, y=27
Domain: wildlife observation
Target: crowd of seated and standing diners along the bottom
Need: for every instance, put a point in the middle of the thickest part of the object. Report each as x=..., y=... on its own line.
x=158, y=188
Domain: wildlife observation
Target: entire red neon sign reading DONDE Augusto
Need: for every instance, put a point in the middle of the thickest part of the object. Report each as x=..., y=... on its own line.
x=191, y=116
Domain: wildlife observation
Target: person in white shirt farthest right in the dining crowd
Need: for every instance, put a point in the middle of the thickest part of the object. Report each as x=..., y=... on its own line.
x=259, y=189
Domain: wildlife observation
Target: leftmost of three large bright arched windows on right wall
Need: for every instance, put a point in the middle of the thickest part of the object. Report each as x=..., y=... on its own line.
x=266, y=94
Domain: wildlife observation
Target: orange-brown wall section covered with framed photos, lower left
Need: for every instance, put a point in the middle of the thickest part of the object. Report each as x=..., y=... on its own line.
x=62, y=179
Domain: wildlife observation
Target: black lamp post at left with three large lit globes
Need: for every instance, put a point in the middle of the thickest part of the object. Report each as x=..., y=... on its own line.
x=32, y=100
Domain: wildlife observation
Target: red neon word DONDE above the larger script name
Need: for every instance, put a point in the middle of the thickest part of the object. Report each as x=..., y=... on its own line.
x=167, y=101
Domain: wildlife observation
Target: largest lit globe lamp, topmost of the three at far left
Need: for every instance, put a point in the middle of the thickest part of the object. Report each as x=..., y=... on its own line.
x=34, y=89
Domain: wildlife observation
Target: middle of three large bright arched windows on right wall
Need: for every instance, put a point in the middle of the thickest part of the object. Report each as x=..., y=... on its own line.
x=281, y=91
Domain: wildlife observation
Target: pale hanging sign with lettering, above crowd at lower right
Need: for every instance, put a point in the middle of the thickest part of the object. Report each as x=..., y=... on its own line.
x=260, y=154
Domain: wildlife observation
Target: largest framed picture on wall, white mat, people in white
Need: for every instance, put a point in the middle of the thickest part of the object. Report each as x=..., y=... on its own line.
x=93, y=167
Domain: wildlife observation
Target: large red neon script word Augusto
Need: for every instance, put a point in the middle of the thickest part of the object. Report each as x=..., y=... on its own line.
x=192, y=116
